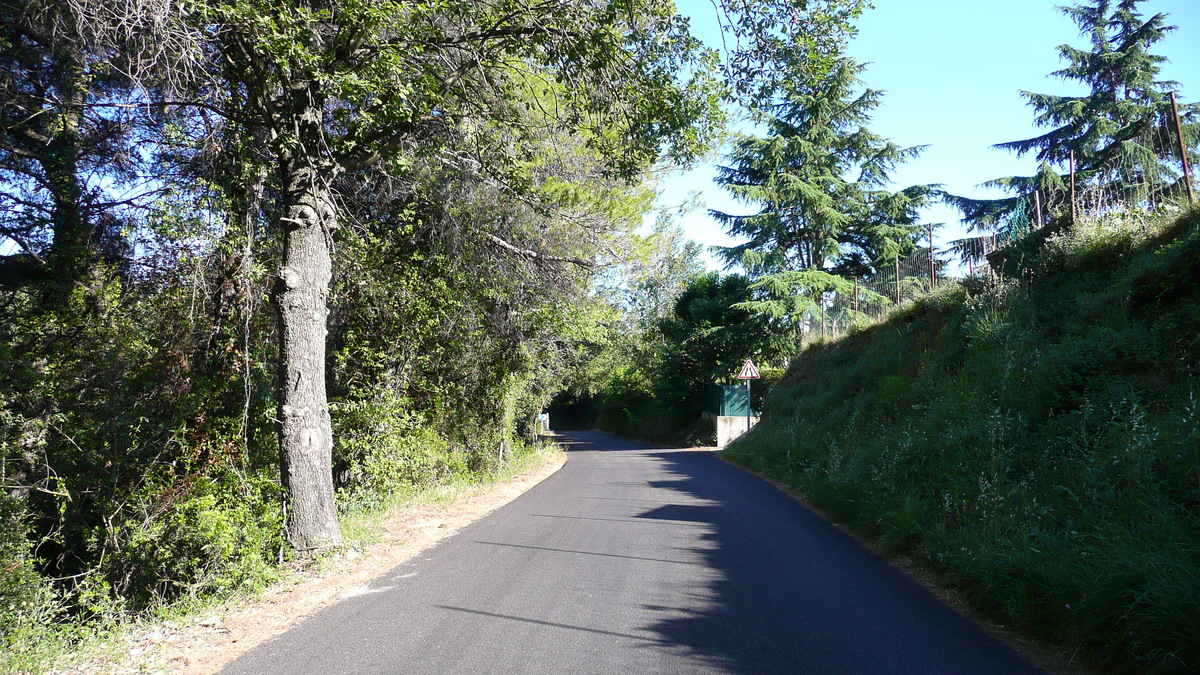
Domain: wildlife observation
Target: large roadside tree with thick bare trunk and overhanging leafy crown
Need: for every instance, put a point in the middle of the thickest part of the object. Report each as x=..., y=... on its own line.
x=343, y=86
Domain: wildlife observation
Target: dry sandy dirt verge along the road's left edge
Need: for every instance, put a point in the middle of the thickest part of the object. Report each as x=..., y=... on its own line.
x=218, y=637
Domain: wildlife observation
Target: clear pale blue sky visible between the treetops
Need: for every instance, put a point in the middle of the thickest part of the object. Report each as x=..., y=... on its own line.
x=952, y=71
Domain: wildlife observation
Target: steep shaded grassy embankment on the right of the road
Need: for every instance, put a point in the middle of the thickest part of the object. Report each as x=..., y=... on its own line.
x=1035, y=441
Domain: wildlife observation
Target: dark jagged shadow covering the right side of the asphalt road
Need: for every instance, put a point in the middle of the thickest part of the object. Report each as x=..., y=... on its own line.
x=793, y=594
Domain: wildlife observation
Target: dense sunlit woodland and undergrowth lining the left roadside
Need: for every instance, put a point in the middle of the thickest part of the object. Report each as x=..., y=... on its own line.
x=256, y=254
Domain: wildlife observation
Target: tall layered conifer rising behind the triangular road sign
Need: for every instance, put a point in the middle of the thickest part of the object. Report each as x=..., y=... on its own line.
x=820, y=178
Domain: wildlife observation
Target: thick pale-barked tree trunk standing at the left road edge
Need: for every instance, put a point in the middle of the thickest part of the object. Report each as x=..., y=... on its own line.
x=307, y=438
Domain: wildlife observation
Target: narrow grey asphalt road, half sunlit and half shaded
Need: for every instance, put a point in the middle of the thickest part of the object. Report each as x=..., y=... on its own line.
x=634, y=560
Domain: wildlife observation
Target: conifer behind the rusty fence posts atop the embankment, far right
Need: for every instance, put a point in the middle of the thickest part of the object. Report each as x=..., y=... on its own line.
x=1120, y=135
